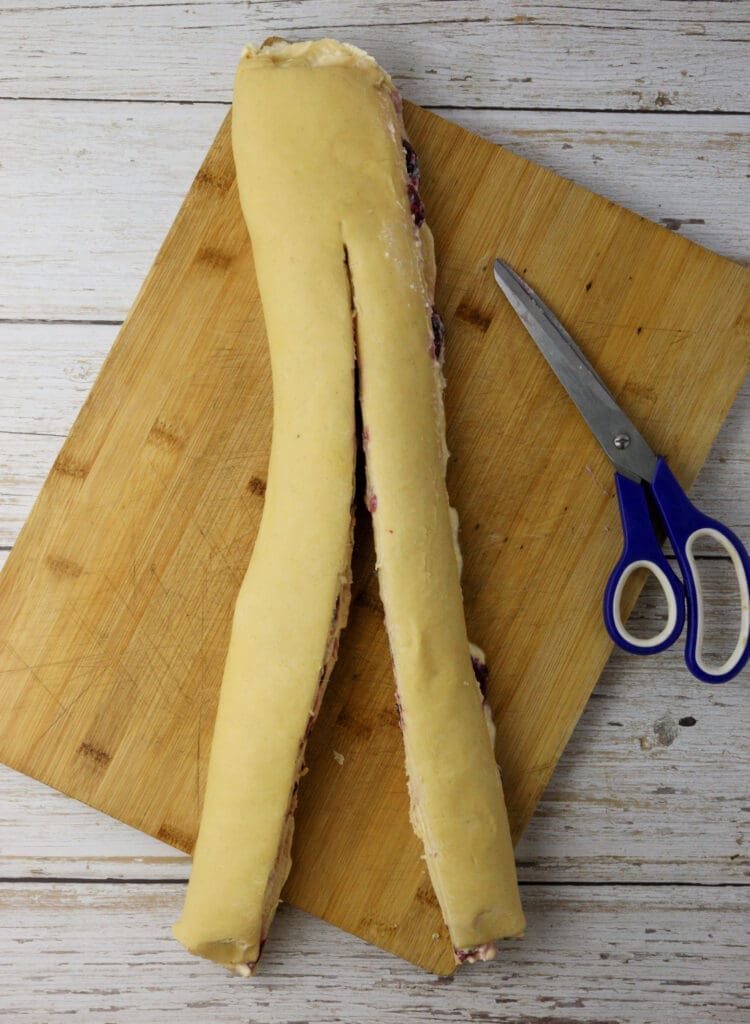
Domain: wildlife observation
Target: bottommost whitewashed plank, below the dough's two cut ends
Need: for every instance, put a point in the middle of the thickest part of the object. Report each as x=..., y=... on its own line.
x=594, y=955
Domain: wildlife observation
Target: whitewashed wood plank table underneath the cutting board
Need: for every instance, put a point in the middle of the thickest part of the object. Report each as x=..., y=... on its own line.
x=635, y=869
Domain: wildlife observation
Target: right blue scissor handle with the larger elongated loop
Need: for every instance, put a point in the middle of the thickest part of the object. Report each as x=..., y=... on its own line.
x=686, y=525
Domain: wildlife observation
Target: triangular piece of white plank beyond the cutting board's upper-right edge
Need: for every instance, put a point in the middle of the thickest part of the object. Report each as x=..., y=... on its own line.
x=685, y=174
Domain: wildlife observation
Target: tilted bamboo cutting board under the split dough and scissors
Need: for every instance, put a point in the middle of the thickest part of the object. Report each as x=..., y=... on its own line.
x=116, y=602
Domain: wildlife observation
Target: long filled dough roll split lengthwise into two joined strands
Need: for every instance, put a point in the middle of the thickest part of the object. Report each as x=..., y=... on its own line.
x=329, y=192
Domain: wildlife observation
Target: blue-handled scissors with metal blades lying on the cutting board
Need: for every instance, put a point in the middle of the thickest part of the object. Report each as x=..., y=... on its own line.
x=647, y=491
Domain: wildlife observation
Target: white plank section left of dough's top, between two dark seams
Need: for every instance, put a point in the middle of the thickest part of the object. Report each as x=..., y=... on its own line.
x=88, y=198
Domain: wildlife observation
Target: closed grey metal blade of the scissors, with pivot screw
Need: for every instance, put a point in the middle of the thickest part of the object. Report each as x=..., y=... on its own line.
x=617, y=436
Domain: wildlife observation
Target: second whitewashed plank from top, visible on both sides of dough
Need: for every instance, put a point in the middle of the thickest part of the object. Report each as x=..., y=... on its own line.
x=87, y=198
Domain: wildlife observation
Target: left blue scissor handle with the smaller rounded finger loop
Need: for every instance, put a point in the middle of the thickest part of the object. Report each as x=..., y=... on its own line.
x=641, y=550
